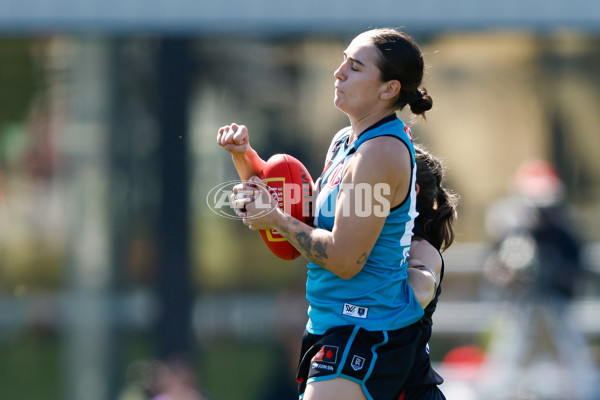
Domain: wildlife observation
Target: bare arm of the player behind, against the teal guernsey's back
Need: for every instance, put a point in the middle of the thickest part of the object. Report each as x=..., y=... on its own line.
x=424, y=269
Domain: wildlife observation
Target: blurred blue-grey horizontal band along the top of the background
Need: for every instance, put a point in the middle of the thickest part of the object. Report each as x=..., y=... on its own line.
x=273, y=16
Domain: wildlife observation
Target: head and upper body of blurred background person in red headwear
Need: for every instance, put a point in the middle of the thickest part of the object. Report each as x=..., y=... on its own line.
x=537, y=252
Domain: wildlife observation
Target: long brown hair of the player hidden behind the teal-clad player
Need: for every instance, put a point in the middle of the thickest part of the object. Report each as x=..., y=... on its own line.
x=435, y=203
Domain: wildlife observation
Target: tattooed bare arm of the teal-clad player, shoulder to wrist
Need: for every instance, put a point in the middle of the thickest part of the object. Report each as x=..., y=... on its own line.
x=379, y=165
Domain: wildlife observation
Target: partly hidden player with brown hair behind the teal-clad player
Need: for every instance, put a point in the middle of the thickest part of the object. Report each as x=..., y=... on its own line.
x=433, y=234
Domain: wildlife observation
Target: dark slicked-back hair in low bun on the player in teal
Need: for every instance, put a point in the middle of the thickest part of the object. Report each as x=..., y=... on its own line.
x=401, y=59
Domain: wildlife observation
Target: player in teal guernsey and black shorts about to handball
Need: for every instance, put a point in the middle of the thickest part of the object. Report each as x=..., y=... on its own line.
x=363, y=330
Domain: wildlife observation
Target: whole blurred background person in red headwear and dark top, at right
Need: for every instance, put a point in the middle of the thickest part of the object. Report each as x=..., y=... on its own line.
x=536, y=261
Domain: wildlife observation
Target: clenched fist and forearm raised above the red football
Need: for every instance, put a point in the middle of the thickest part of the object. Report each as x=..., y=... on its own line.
x=235, y=139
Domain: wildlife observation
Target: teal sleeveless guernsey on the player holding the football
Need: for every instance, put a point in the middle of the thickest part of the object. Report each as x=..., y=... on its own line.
x=378, y=297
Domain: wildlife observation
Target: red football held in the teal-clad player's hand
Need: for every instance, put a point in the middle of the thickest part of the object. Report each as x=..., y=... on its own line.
x=291, y=185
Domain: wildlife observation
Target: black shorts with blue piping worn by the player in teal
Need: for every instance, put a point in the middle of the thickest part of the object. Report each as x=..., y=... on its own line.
x=377, y=360
